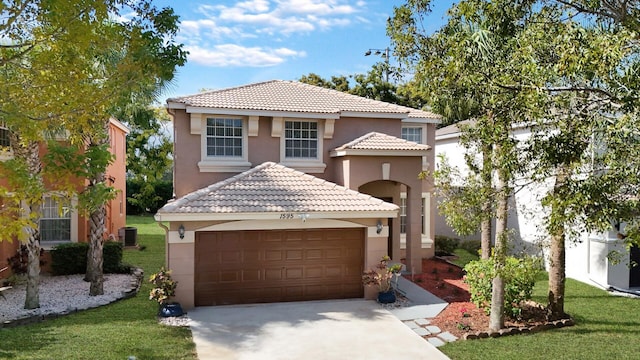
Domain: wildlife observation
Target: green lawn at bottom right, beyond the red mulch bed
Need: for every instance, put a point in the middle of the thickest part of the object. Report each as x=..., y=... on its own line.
x=607, y=327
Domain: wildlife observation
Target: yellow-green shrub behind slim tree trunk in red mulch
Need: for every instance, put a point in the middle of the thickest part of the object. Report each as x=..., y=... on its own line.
x=519, y=277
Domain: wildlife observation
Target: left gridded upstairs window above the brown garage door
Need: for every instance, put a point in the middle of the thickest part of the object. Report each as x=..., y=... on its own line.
x=224, y=137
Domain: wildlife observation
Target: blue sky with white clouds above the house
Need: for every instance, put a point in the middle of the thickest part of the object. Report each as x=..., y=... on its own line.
x=234, y=43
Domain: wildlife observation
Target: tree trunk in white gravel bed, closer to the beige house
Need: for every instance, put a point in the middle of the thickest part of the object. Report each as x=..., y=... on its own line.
x=97, y=227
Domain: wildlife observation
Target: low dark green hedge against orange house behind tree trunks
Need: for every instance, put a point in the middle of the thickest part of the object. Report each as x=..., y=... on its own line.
x=71, y=258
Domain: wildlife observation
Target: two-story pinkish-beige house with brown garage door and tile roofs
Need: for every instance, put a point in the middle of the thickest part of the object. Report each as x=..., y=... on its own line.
x=287, y=191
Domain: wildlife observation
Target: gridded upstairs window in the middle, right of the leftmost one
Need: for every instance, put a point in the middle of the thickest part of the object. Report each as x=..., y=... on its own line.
x=301, y=139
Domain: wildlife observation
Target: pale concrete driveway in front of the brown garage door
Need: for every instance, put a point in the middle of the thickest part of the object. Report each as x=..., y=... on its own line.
x=337, y=329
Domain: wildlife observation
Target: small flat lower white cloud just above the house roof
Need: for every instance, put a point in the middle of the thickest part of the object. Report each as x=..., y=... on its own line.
x=231, y=55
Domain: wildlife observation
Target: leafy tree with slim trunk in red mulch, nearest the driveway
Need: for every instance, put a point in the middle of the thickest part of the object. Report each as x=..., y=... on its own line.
x=467, y=58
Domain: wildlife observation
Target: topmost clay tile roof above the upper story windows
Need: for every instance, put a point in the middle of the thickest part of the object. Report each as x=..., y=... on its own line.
x=293, y=96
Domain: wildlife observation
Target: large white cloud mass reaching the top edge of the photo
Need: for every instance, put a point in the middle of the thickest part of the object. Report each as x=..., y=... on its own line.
x=228, y=35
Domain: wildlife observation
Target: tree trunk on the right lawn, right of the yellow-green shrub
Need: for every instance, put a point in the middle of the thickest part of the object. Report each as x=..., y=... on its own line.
x=557, y=269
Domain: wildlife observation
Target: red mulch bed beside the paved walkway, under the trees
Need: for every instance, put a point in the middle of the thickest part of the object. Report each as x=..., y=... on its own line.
x=460, y=317
